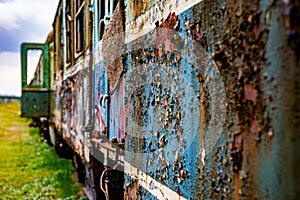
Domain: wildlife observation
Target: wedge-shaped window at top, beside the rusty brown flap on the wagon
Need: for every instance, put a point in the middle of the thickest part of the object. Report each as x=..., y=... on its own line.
x=105, y=11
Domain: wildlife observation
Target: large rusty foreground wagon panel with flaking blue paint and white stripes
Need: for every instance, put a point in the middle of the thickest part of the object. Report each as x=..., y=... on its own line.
x=253, y=46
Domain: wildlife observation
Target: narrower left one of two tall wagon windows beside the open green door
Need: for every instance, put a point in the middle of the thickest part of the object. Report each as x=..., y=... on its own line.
x=68, y=31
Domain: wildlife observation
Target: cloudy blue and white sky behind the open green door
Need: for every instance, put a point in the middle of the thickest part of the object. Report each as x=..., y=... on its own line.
x=21, y=21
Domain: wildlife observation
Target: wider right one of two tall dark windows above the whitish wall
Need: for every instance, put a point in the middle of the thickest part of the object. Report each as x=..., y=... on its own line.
x=79, y=24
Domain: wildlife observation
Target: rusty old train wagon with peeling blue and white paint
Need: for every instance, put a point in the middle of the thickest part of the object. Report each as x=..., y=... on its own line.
x=178, y=99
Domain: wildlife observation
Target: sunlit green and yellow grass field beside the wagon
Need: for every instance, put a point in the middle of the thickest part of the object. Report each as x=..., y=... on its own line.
x=29, y=168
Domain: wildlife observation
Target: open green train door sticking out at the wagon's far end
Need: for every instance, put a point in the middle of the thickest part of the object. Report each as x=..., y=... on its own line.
x=35, y=100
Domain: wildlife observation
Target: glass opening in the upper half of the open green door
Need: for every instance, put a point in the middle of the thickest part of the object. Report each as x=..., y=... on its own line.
x=34, y=67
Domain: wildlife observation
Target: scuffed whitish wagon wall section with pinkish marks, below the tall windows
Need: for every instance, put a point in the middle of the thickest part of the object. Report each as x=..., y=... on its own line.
x=76, y=112
